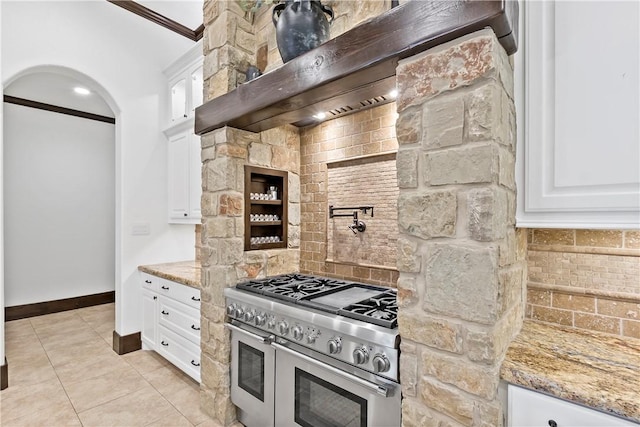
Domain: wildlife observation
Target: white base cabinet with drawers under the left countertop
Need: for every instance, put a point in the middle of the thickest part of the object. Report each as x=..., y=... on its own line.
x=171, y=322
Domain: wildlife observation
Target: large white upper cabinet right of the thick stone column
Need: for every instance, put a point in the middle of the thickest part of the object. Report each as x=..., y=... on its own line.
x=577, y=95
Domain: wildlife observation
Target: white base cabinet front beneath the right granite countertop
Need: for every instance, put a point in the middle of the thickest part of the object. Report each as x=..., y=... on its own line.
x=528, y=408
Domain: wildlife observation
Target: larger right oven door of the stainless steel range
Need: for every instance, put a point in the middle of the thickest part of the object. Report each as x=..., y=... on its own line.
x=314, y=393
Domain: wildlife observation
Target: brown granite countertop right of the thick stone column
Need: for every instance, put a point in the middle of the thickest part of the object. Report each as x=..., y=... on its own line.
x=593, y=369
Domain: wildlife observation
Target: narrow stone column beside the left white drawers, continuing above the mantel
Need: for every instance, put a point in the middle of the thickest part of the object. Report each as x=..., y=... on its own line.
x=229, y=46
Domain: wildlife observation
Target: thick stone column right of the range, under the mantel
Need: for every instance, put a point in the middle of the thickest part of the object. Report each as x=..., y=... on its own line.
x=461, y=285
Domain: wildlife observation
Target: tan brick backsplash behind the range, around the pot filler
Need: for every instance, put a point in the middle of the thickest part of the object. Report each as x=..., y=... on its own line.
x=350, y=161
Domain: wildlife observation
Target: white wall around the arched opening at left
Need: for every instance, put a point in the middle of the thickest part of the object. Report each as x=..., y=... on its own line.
x=124, y=56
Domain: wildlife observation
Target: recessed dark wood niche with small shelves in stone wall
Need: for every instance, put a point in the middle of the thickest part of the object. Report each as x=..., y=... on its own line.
x=265, y=213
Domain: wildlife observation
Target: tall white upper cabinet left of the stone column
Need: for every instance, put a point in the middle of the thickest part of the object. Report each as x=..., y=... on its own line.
x=184, y=94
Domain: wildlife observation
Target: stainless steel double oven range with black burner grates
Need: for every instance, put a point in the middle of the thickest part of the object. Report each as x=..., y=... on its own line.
x=314, y=352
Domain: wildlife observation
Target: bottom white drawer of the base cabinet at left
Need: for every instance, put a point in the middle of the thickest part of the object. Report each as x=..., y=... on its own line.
x=179, y=351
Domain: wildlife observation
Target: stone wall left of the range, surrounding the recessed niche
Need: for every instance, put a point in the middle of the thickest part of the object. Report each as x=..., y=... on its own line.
x=229, y=48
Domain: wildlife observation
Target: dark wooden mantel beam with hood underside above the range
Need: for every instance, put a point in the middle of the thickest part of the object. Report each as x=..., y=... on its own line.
x=356, y=69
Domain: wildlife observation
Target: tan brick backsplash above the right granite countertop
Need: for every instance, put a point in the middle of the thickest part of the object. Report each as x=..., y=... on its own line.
x=586, y=279
